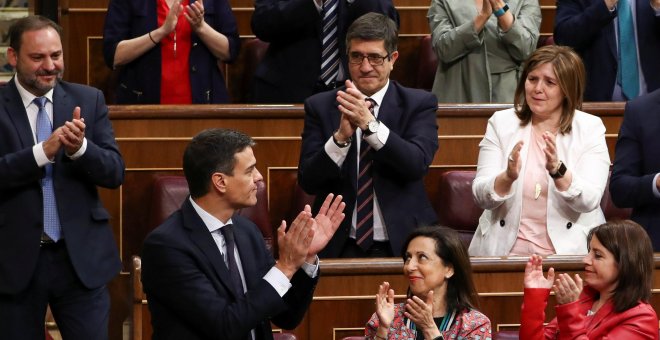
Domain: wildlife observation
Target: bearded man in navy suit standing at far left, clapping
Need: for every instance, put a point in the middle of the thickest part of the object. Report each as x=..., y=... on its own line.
x=56, y=147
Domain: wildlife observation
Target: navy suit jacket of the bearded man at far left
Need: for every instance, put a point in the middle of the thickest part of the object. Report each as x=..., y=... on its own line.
x=85, y=222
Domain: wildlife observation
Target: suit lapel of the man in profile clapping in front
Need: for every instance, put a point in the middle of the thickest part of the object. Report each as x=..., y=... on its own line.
x=200, y=236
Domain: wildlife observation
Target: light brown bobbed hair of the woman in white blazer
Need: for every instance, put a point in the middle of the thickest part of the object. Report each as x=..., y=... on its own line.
x=570, y=73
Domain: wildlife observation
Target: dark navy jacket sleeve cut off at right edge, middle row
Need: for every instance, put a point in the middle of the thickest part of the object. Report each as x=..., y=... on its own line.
x=637, y=161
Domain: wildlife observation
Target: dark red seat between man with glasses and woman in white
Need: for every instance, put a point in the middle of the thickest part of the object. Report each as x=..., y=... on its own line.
x=457, y=208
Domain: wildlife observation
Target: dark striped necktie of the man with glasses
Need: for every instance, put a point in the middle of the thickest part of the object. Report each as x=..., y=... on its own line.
x=364, y=224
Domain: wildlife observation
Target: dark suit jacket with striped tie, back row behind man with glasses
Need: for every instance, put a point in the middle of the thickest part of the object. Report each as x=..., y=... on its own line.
x=292, y=64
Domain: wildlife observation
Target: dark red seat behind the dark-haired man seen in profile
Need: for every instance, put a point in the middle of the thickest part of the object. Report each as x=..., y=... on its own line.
x=169, y=192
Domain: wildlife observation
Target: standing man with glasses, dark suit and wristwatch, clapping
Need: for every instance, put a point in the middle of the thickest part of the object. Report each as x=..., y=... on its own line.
x=371, y=141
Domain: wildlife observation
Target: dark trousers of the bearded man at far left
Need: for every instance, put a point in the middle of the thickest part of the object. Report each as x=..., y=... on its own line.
x=80, y=313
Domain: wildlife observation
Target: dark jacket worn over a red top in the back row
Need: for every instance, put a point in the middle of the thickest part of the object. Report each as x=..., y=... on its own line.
x=139, y=80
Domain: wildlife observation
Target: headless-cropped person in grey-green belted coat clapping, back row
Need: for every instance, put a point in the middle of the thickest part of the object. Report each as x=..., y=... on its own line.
x=480, y=46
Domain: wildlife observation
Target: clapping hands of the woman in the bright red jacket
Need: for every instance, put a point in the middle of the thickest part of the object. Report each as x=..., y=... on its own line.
x=566, y=288
